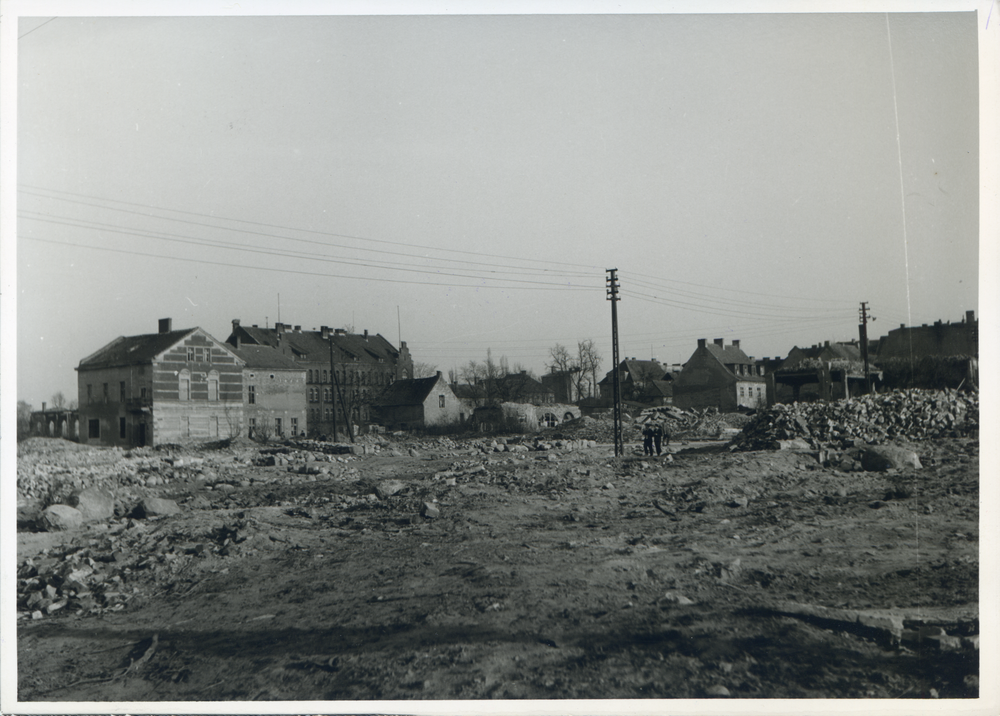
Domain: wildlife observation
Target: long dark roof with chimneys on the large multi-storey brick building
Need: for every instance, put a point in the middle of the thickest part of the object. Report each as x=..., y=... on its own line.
x=311, y=346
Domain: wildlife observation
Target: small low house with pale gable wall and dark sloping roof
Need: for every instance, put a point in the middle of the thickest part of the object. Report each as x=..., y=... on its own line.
x=418, y=403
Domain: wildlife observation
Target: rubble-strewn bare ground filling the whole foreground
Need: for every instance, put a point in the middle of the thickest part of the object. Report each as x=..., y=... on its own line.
x=823, y=551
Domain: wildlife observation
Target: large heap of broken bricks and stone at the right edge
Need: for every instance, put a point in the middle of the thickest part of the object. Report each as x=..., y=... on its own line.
x=871, y=419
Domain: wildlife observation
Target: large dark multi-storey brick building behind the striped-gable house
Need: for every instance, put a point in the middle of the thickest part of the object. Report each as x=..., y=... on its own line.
x=344, y=371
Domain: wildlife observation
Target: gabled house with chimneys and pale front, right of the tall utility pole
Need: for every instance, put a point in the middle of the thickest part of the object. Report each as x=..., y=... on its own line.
x=719, y=376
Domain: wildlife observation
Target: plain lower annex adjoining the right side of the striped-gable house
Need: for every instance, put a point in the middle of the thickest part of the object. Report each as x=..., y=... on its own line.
x=274, y=395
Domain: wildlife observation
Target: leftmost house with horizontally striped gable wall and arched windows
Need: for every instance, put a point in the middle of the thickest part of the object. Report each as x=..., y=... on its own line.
x=158, y=388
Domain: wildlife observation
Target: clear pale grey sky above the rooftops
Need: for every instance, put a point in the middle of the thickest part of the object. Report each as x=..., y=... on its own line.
x=462, y=183
